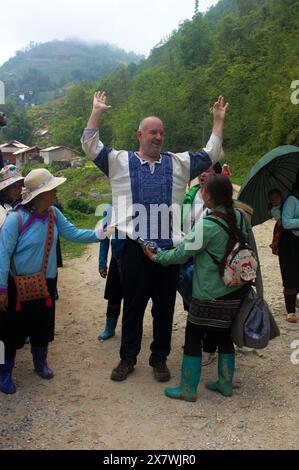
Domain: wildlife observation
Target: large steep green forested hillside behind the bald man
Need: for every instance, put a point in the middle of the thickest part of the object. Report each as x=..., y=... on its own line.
x=247, y=50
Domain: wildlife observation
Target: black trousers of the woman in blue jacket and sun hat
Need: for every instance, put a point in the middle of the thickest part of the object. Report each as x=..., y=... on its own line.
x=35, y=320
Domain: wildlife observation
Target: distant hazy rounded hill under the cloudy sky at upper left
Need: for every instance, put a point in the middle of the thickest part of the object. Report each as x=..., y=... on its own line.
x=45, y=71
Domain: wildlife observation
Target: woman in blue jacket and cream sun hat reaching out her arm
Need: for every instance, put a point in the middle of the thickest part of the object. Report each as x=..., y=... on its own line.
x=24, y=240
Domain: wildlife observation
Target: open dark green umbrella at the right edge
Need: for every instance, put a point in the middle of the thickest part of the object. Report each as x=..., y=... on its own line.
x=275, y=170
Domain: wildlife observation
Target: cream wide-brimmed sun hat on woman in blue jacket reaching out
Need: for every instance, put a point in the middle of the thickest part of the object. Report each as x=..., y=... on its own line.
x=39, y=181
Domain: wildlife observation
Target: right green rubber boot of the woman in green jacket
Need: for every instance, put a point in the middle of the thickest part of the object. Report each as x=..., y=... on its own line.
x=226, y=369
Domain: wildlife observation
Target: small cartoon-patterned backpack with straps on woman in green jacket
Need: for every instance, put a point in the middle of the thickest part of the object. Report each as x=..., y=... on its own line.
x=241, y=264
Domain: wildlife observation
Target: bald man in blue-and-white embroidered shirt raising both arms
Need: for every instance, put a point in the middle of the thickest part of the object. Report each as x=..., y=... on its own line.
x=148, y=188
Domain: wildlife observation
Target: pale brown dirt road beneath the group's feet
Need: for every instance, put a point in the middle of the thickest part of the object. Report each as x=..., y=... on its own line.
x=83, y=409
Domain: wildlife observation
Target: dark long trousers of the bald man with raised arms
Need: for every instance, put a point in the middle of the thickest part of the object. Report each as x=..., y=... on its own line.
x=144, y=280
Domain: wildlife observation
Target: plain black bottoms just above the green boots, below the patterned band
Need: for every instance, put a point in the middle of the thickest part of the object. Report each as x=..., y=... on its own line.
x=196, y=336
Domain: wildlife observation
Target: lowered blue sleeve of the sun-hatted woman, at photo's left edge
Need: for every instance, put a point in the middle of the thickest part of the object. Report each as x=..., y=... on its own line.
x=8, y=241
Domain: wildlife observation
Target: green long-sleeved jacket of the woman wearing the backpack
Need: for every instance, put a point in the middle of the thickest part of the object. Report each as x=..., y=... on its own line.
x=206, y=235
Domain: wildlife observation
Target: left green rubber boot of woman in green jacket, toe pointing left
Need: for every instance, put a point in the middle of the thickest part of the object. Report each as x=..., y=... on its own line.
x=190, y=376
